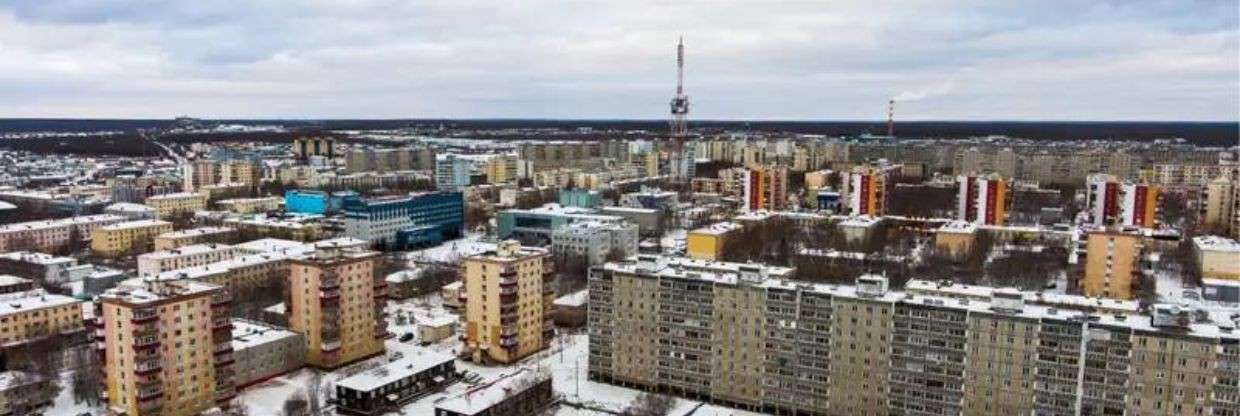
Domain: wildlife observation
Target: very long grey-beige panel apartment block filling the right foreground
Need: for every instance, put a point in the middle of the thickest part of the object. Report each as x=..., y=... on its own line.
x=747, y=337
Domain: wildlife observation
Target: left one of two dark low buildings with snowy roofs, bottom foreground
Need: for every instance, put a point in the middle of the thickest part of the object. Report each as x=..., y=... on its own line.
x=391, y=386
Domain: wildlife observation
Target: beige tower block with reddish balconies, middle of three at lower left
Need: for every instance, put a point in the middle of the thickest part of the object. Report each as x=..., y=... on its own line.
x=337, y=302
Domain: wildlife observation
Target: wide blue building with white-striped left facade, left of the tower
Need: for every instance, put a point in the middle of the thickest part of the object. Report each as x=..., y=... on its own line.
x=406, y=222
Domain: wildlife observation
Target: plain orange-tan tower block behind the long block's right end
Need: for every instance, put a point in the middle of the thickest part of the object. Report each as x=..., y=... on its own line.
x=1113, y=264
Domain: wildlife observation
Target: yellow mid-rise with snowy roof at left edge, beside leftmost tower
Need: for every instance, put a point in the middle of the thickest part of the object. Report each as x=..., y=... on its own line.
x=33, y=315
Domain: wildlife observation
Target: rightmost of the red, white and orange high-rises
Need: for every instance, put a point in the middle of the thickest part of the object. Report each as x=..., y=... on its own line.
x=1112, y=203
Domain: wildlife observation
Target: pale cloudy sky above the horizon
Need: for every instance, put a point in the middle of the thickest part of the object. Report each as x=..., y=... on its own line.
x=1122, y=60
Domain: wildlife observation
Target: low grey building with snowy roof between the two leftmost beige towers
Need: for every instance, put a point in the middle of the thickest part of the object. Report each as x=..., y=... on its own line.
x=263, y=351
